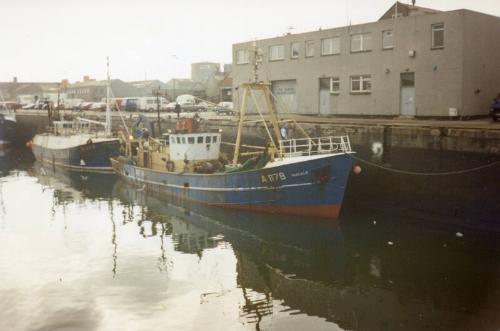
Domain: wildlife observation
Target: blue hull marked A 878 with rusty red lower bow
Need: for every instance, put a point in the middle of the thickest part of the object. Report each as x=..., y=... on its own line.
x=314, y=187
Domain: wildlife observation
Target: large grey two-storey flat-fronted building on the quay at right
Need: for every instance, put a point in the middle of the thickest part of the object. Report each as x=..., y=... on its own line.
x=414, y=61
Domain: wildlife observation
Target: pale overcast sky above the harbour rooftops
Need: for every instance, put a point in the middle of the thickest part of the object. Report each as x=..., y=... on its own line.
x=48, y=40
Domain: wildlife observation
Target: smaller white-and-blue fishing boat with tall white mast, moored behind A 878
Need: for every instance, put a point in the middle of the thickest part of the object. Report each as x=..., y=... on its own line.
x=80, y=144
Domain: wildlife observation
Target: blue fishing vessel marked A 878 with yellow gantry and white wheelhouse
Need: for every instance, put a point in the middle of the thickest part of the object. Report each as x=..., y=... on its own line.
x=299, y=176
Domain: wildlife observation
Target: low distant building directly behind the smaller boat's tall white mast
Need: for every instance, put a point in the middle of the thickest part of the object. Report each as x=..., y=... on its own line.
x=92, y=90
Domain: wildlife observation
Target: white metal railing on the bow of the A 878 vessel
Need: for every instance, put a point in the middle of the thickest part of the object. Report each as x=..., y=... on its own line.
x=314, y=146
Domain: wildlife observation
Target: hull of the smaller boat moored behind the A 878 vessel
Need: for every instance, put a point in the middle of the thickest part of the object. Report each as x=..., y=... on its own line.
x=95, y=157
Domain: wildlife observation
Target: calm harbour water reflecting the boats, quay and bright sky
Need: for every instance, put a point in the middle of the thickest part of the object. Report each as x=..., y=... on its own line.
x=88, y=252
